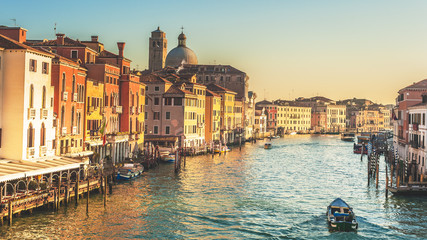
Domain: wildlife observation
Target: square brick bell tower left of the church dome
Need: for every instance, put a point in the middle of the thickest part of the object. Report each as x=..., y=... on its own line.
x=157, y=50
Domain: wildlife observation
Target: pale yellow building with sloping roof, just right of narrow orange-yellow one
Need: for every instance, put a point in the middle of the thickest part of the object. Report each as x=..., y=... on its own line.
x=227, y=112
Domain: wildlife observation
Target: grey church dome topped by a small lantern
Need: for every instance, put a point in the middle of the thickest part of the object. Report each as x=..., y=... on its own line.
x=181, y=54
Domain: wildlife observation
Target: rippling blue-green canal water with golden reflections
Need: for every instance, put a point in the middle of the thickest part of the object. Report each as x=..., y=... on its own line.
x=281, y=193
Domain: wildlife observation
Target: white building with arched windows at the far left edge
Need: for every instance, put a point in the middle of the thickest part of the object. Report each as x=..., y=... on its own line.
x=26, y=98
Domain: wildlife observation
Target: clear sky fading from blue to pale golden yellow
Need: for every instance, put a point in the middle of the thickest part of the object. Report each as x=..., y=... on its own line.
x=290, y=48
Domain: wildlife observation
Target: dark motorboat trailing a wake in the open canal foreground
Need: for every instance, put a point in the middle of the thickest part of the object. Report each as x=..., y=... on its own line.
x=340, y=216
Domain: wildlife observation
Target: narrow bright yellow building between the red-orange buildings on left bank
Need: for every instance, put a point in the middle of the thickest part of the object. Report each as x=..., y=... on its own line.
x=94, y=105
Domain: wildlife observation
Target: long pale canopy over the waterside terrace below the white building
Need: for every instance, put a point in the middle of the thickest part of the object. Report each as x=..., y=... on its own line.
x=14, y=169
